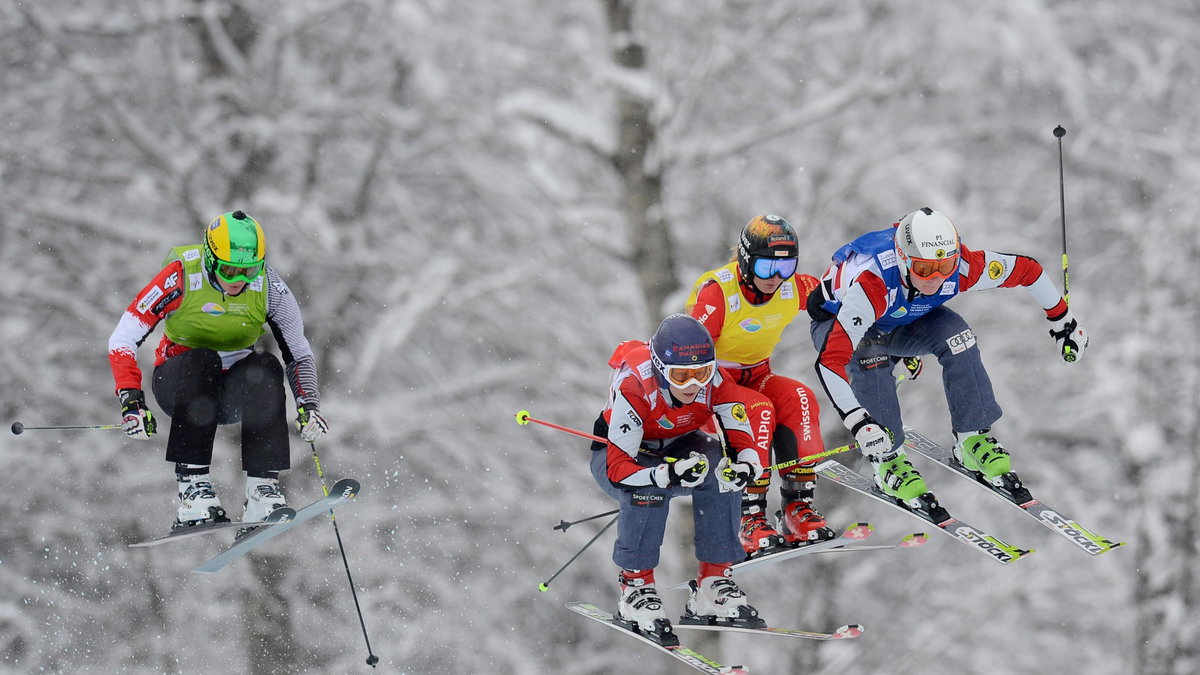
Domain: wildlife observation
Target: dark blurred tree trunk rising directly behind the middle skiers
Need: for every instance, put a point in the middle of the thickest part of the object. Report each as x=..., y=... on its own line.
x=640, y=168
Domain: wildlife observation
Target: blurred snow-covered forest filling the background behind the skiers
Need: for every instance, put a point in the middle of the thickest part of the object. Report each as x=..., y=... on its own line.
x=475, y=202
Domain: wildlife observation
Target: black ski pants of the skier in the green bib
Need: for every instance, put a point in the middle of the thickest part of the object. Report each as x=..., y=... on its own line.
x=199, y=397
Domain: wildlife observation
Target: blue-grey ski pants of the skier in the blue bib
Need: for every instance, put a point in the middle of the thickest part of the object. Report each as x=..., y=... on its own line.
x=941, y=333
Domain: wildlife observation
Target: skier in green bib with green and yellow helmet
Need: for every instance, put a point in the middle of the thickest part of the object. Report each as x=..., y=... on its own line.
x=215, y=301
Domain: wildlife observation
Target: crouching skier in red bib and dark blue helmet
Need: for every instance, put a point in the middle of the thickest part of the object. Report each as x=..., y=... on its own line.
x=663, y=393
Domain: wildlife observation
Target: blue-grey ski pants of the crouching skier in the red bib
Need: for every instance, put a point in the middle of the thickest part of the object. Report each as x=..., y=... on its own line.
x=644, y=512
